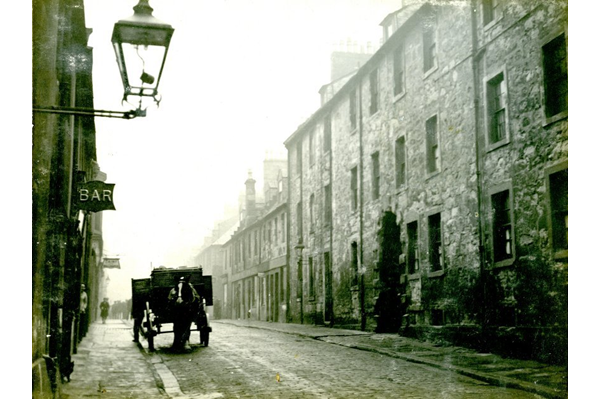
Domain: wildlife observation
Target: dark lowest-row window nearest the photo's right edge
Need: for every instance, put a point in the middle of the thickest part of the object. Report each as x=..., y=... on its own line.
x=559, y=203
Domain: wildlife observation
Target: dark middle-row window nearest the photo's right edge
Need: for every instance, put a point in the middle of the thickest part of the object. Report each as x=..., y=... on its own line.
x=556, y=77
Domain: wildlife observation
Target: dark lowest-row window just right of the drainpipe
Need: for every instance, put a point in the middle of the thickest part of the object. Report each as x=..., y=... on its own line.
x=502, y=226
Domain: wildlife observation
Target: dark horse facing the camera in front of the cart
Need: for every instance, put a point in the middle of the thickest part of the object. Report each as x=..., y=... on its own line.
x=184, y=301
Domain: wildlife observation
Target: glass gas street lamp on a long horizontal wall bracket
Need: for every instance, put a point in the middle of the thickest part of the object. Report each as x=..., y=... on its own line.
x=141, y=43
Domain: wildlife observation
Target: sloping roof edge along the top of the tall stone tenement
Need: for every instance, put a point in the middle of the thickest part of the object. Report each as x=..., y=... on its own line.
x=362, y=71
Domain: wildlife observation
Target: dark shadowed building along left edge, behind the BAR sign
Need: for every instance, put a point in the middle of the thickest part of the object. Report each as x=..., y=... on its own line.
x=66, y=242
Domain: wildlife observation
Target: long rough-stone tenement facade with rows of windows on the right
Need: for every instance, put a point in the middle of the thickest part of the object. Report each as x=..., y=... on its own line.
x=431, y=189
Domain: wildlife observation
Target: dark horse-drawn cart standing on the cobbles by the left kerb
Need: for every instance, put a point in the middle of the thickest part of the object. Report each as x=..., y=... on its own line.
x=155, y=303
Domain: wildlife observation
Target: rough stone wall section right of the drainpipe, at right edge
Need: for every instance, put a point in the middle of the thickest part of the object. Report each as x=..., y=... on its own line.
x=521, y=82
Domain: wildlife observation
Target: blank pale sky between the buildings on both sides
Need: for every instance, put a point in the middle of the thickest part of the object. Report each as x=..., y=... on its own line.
x=240, y=77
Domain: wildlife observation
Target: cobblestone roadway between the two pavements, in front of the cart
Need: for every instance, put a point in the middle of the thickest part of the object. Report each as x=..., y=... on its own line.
x=255, y=363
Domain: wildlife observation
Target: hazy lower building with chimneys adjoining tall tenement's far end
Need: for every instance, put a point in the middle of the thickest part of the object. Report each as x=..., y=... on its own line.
x=255, y=272
